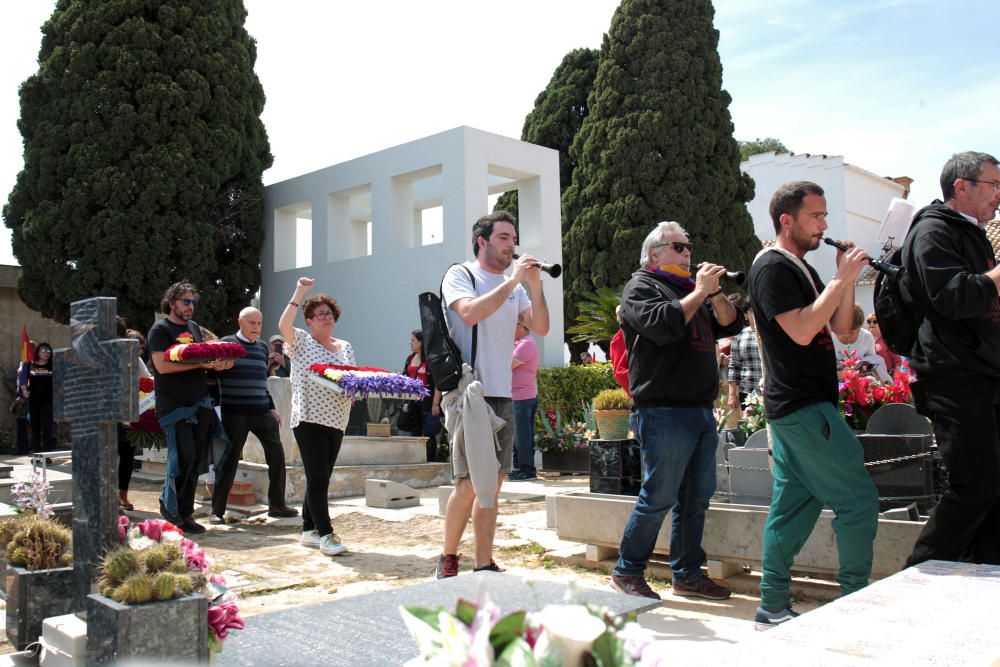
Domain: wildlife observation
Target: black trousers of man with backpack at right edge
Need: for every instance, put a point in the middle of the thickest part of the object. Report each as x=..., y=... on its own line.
x=965, y=525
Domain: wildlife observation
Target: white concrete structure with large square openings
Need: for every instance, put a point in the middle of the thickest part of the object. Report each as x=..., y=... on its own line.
x=364, y=224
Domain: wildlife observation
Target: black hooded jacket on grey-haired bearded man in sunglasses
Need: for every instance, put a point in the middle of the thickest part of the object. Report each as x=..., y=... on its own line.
x=670, y=362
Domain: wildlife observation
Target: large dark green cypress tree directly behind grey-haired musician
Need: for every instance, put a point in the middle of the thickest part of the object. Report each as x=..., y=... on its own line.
x=656, y=145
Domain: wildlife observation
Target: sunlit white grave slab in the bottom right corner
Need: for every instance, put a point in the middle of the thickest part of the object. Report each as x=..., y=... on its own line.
x=935, y=613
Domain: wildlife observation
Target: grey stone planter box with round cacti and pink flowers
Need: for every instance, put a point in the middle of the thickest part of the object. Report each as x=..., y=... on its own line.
x=154, y=588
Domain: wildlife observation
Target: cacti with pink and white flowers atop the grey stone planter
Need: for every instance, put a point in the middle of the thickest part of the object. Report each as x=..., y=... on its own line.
x=156, y=562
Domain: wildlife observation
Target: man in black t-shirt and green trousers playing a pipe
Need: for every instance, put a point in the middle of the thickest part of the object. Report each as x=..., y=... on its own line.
x=818, y=461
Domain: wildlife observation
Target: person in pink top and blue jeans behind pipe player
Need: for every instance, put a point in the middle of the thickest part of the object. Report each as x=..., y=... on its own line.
x=524, y=391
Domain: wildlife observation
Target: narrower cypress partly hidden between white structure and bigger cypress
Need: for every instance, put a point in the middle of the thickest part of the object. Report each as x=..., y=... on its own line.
x=559, y=111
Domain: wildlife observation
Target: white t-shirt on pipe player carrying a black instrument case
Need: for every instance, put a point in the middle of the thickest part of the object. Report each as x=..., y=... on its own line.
x=495, y=338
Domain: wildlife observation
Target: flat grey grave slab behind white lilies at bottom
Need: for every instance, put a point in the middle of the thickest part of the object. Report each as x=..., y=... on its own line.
x=368, y=629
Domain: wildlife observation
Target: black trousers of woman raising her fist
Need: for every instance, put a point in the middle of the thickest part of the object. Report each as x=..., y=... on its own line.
x=319, y=446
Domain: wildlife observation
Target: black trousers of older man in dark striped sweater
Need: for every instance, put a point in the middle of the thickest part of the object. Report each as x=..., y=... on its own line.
x=265, y=427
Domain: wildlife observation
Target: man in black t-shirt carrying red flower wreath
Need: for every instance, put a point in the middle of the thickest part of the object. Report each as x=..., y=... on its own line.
x=182, y=404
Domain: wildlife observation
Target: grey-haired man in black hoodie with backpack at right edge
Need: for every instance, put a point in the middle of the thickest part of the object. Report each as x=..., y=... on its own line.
x=952, y=280
